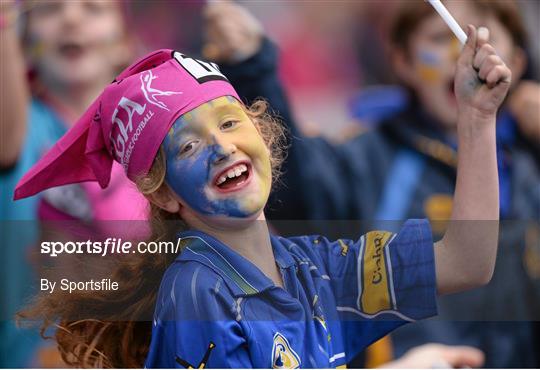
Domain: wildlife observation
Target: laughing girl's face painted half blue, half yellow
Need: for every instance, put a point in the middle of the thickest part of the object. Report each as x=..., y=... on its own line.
x=217, y=162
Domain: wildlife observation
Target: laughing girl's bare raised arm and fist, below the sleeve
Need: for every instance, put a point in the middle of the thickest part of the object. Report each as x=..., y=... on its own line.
x=465, y=257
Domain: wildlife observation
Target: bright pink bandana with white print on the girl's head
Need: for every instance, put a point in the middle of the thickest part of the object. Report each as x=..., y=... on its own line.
x=128, y=121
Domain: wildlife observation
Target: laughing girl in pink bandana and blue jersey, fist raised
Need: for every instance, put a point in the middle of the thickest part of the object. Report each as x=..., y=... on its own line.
x=237, y=296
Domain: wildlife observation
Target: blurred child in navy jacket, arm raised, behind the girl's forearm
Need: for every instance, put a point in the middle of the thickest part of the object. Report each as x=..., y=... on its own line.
x=406, y=166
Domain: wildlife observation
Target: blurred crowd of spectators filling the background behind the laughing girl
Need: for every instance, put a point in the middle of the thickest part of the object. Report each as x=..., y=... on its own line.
x=367, y=85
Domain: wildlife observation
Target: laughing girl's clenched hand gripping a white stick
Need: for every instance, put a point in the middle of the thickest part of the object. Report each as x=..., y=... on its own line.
x=482, y=79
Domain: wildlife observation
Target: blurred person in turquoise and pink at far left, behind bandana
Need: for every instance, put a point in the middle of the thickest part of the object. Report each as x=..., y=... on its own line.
x=65, y=54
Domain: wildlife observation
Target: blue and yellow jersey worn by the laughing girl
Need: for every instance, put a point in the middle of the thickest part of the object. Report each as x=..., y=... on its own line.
x=216, y=309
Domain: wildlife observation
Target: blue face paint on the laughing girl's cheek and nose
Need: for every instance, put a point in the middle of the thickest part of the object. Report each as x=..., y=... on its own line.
x=190, y=177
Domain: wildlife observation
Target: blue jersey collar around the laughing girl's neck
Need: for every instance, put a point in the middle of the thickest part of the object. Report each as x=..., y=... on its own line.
x=241, y=275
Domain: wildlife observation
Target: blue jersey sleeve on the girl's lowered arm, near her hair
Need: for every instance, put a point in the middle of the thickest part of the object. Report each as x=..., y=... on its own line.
x=193, y=324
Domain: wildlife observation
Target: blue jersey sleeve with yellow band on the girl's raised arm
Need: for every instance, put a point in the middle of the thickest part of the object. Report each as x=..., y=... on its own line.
x=383, y=274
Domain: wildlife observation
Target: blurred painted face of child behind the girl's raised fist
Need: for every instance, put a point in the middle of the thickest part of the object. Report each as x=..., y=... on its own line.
x=432, y=53
